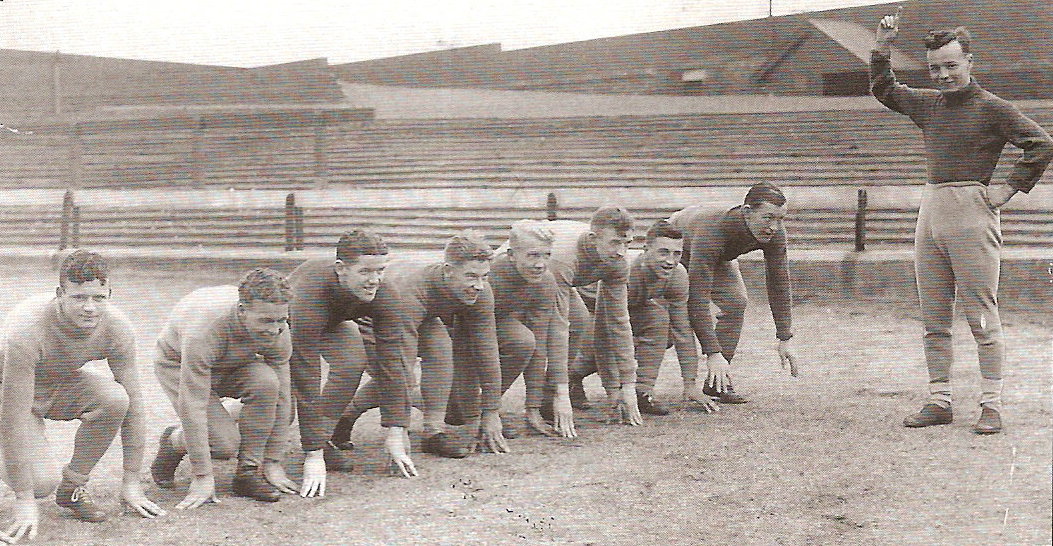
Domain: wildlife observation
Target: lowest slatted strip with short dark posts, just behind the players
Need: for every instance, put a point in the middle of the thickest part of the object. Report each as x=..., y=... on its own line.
x=294, y=228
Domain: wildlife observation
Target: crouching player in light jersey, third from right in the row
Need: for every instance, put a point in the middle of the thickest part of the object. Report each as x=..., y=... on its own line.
x=583, y=255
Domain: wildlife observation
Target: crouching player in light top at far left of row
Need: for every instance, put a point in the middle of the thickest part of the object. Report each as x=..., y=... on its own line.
x=48, y=342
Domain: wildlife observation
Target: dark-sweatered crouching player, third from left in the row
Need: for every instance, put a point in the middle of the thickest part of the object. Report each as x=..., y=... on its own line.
x=329, y=296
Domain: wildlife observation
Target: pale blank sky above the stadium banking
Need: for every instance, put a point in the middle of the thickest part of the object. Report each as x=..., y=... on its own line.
x=241, y=33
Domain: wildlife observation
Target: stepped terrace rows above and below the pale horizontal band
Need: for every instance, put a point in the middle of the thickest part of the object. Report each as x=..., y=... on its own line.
x=827, y=149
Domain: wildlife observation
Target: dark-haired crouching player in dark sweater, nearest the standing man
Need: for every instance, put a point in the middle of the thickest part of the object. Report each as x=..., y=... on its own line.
x=716, y=238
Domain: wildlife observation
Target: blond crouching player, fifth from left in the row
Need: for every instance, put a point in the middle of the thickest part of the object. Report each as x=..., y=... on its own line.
x=532, y=334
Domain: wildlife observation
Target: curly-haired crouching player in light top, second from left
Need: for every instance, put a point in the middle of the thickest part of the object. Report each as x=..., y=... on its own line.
x=228, y=341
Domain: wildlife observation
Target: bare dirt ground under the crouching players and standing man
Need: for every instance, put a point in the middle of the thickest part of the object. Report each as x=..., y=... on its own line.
x=818, y=460
